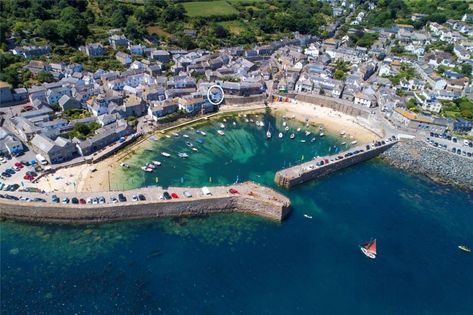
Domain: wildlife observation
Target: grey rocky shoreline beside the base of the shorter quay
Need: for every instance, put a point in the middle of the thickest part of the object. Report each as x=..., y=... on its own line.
x=441, y=166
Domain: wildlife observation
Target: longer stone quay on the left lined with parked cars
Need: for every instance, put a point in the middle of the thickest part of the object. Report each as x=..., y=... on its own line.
x=156, y=202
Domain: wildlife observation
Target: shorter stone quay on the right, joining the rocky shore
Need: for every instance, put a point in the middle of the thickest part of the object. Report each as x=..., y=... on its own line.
x=321, y=166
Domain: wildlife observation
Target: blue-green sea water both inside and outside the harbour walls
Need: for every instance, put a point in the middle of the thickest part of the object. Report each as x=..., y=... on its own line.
x=228, y=264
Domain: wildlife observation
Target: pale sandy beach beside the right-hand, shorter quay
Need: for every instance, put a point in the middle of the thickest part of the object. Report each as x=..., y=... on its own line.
x=333, y=121
